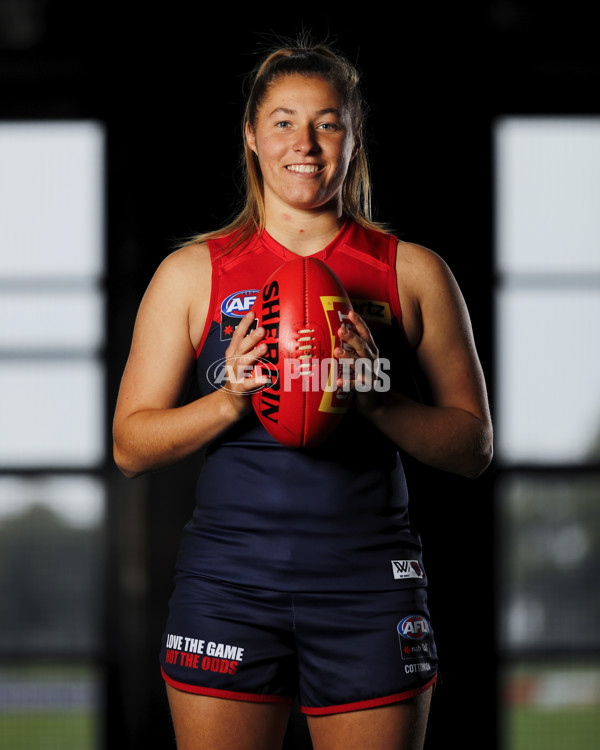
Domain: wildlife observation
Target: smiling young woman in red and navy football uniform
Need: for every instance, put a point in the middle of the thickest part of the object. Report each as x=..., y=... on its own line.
x=299, y=574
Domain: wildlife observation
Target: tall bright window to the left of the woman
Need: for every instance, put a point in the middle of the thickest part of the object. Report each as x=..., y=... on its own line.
x=52, y=437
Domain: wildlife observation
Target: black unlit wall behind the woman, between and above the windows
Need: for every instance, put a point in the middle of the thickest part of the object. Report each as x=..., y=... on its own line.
x=167, y=83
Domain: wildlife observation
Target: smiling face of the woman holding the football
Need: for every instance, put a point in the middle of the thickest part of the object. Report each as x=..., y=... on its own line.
x=304, y=141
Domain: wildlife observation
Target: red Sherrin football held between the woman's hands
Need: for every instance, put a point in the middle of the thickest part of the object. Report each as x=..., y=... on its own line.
x=301, y=307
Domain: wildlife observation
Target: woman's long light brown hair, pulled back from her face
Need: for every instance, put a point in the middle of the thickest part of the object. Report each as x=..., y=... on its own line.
x=319, y=61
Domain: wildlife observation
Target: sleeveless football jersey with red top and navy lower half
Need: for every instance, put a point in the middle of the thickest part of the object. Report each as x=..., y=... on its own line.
x=326, y=519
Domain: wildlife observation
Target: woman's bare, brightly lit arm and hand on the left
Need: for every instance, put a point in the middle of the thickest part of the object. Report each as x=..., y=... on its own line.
x=151, y=428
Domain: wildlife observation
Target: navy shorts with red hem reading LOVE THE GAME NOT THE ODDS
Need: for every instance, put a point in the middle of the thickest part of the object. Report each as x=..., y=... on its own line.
x=335, y=652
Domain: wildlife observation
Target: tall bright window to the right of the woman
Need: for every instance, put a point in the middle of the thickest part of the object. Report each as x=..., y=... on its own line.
x=548, y=428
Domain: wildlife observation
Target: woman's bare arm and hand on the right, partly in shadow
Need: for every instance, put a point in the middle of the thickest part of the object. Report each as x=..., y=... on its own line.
x=455, y=433
